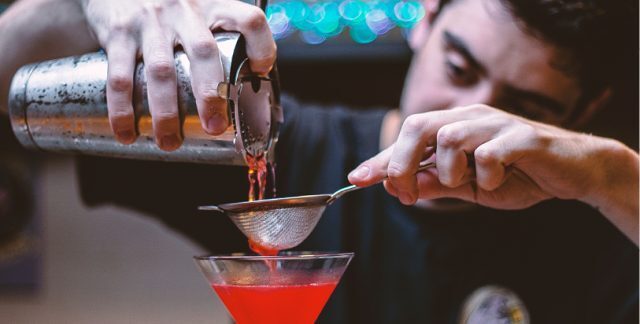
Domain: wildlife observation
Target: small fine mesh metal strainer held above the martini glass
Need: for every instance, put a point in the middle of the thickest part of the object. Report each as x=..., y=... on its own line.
x=282, y=223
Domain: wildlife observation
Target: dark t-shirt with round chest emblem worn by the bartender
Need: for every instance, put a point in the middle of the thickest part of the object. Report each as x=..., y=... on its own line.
x=565, y=261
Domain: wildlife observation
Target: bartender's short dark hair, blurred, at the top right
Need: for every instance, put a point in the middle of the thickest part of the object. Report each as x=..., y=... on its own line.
x=597, y=39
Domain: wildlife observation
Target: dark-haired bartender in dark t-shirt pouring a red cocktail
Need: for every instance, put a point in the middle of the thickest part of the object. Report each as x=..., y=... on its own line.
x=495, y=95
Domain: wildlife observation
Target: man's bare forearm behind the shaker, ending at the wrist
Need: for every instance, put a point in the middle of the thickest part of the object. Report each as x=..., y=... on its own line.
x=36, y=30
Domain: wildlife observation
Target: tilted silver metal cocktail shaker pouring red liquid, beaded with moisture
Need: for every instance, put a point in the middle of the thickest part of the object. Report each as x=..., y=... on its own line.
x=61, y=106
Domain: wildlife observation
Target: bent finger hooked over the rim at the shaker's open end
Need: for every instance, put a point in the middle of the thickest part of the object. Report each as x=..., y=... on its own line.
x=251, y=22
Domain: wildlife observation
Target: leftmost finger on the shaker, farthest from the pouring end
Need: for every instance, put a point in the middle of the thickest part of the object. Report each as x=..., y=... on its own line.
x=121, y=53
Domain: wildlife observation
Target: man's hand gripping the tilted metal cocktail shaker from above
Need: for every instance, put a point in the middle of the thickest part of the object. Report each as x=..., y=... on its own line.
x=128, y=29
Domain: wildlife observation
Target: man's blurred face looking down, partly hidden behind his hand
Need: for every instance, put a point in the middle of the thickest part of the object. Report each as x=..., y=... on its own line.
x=474, y=52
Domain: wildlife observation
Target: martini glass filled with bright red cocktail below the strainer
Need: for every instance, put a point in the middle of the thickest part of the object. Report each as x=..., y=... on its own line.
x=292, y=287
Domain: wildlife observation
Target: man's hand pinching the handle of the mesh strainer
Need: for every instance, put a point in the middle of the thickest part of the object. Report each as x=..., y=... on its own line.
x=496, y=159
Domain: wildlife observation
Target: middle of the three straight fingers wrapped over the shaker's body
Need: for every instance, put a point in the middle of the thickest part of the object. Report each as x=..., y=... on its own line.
x=160, y=72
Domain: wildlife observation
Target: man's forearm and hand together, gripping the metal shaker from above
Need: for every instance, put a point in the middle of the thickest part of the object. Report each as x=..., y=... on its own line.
x=132, y=29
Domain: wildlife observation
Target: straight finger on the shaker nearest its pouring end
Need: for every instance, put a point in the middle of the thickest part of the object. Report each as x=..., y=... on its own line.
x=206, y=70
